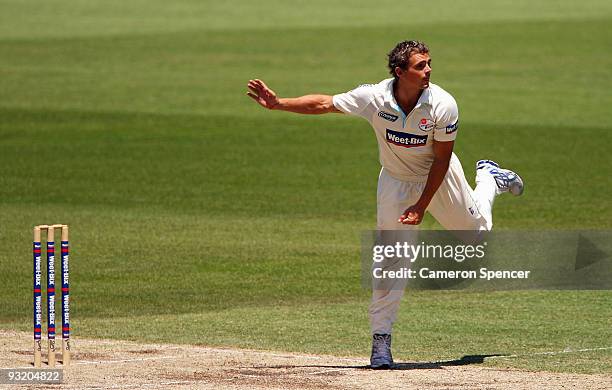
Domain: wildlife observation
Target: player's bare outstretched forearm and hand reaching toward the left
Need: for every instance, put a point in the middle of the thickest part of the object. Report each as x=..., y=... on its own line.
x=307, y=104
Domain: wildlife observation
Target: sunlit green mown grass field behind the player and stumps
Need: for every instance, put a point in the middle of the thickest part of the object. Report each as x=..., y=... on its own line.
x=198, y=217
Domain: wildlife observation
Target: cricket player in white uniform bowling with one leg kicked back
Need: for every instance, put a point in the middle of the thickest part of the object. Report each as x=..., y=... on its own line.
x=416, y=123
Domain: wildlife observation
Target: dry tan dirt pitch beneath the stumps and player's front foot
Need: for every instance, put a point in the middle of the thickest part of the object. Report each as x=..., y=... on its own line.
x=108, y=364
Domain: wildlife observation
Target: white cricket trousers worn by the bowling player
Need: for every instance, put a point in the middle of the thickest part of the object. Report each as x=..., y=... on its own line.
x=455, y=206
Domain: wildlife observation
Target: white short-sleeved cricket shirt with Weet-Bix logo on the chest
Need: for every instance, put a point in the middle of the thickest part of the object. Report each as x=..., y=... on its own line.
x=405, y=142
